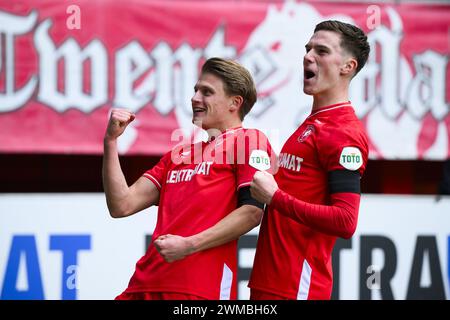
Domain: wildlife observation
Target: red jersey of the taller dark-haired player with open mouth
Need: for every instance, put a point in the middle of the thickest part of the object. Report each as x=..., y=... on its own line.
x=292, y=259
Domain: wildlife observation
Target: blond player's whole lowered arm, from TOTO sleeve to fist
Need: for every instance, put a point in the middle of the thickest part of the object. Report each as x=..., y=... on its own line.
x=257, y=154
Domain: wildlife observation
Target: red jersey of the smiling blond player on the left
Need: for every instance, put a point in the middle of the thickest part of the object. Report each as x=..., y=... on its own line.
x=198, y=187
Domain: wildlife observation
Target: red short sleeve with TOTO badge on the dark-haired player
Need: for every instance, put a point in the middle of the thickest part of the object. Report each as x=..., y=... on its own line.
x=343, y=148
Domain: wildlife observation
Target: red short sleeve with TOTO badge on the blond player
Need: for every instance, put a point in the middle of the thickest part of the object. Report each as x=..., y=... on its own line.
x=253, y=153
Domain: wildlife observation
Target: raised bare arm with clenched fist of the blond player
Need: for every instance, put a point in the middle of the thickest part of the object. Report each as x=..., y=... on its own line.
x=122, y=200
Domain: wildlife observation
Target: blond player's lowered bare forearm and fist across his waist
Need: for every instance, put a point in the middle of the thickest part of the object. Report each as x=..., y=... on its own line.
x=237, y=223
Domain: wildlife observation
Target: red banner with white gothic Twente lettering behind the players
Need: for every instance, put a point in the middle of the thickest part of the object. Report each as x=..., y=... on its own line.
x=63, y=66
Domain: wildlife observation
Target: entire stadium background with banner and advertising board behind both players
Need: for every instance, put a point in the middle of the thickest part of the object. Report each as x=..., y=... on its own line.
x=57, y=240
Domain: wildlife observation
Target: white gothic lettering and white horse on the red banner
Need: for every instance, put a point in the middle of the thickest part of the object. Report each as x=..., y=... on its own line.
x=392, y=96
